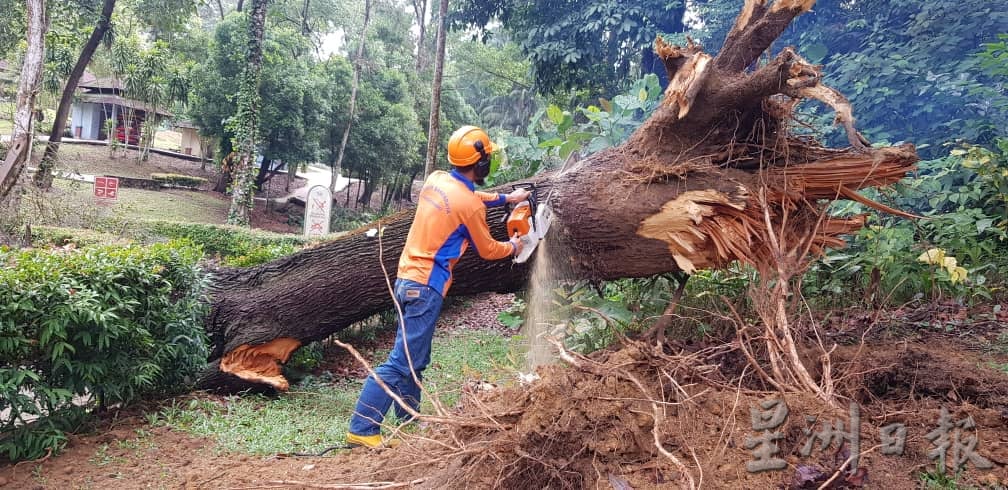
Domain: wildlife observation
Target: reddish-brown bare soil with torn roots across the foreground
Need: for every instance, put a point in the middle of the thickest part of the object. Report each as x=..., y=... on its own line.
x=594, y=428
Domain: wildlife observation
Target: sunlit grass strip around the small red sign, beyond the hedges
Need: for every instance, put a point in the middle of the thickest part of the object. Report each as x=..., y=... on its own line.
x=175, y=205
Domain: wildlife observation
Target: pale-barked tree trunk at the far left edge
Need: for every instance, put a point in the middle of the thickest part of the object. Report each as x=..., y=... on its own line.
x=20, y=153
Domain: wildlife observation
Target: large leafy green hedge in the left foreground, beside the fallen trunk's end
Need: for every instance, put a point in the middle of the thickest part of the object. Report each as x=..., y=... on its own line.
x=91, y=328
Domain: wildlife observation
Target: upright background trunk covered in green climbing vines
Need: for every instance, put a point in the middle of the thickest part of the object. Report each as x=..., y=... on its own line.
x=243, y=189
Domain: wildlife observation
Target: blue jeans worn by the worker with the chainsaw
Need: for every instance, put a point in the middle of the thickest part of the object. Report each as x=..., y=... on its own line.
x=421, y=307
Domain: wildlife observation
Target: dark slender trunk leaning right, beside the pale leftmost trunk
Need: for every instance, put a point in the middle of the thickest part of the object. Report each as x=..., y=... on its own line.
x=44, y=178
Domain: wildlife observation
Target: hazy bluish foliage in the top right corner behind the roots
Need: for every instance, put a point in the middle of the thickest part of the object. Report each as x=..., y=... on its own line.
x=910, y=69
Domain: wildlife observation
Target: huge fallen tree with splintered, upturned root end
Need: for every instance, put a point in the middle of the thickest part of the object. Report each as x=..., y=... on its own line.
x=713, y=177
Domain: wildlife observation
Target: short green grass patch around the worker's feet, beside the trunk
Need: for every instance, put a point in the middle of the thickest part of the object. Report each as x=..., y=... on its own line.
x=315, y=415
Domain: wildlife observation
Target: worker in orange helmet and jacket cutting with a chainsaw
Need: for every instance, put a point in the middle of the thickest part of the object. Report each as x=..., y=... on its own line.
x=451, y=215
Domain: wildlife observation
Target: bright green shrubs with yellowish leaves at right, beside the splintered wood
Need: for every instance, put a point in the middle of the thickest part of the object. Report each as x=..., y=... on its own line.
x=961, y=199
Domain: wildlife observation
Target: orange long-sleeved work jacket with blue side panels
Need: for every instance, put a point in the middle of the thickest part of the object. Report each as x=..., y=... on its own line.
x=451, y=214
